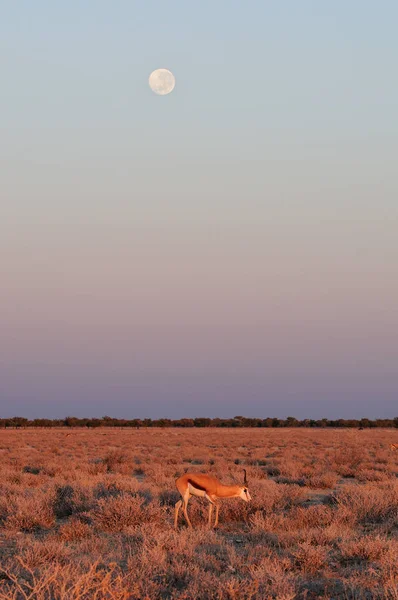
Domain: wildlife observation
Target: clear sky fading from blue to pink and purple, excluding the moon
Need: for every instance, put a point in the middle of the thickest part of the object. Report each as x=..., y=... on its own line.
x=230, y=248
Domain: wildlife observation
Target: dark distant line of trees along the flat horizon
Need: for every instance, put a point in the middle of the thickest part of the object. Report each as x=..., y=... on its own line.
x=239, y=421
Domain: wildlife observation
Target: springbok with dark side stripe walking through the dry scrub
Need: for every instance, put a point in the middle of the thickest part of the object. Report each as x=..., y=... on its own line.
x=200, y=484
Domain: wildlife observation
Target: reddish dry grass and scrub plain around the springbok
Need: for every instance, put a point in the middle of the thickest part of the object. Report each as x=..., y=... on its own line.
x=89, y=516
